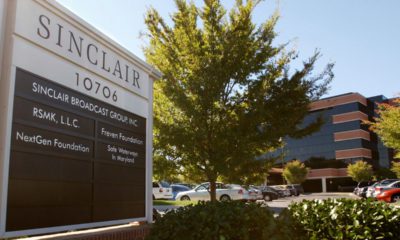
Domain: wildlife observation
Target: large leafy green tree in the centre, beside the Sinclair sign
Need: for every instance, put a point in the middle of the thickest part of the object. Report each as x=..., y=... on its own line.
x=226, y=96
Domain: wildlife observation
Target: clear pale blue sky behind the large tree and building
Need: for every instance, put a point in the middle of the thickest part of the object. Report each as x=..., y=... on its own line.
x=362, y=37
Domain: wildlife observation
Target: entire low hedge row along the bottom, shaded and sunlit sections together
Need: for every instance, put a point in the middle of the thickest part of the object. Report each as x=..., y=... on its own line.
x=317, y=219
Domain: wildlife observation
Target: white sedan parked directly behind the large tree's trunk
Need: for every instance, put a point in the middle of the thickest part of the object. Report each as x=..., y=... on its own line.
x=225, y=192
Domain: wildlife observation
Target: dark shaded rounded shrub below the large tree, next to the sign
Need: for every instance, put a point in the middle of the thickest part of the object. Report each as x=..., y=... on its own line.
x=219, y=221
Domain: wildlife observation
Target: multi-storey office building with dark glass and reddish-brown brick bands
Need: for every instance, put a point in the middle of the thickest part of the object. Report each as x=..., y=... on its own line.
x=342, y=139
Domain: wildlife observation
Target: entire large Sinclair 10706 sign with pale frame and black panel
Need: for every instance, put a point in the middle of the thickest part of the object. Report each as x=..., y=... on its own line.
x=76, y=126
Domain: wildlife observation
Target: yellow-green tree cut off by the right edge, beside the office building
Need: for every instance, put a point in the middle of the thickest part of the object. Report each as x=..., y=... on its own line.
x=387, y=125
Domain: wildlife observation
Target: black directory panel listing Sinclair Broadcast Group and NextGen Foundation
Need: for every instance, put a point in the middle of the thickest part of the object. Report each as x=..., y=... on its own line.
x=63, y=166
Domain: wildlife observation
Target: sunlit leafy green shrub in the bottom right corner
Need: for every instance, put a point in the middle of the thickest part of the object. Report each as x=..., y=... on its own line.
x=345, y=219
